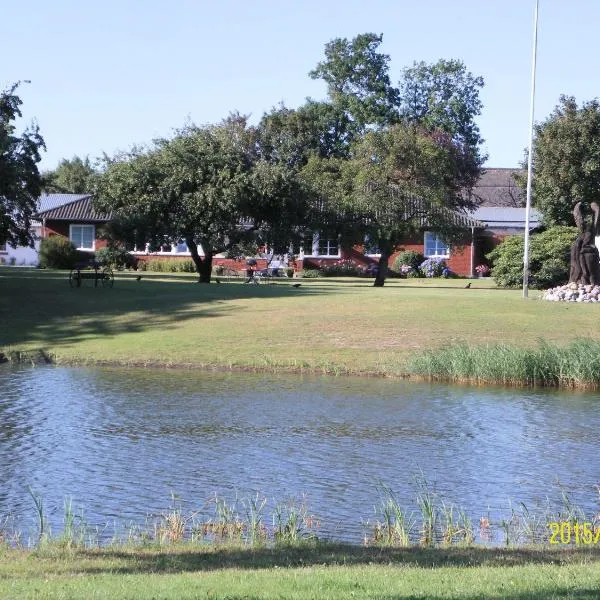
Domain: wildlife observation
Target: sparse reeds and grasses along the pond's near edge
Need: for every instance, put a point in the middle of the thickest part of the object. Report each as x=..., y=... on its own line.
x=252, y=522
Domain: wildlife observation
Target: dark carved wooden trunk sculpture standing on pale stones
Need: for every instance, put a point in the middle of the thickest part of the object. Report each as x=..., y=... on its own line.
x=585, y=258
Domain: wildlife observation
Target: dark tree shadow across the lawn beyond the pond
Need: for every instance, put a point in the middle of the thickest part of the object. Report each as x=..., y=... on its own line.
x=40, y=308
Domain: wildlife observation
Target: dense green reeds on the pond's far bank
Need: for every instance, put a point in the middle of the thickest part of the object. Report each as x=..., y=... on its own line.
x=576, y=365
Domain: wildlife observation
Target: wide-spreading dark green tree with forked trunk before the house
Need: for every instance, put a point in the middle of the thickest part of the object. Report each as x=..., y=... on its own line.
x=207, y=186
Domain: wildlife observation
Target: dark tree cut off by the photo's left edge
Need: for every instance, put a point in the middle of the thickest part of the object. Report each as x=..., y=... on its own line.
x=20, y=180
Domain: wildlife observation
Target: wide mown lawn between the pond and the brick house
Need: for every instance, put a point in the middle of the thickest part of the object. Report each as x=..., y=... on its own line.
x=328, y=325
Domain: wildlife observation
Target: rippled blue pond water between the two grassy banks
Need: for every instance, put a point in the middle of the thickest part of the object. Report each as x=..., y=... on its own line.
x=121, y=442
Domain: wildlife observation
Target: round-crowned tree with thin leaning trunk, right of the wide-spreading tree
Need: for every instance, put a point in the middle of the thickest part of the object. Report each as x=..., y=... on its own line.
x=397, y=181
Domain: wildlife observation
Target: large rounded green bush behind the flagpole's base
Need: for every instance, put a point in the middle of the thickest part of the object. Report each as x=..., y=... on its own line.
x=549, y=258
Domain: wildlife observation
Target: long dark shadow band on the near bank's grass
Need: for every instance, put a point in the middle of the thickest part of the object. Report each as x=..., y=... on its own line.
x=328, y=554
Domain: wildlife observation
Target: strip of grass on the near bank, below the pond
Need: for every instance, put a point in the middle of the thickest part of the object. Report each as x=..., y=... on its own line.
x=329, y=571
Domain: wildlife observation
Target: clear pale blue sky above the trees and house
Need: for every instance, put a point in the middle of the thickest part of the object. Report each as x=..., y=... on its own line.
x=105, y=76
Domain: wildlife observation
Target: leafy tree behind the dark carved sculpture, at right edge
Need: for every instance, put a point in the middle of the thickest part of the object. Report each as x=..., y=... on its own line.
x=566, y=160
